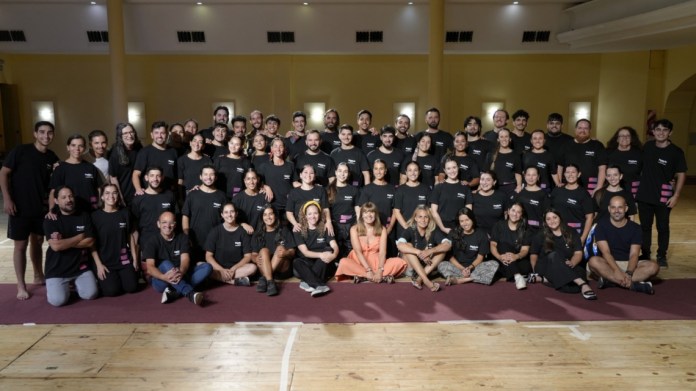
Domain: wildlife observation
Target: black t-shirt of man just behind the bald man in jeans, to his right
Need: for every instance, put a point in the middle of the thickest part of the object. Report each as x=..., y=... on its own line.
x=204, y=211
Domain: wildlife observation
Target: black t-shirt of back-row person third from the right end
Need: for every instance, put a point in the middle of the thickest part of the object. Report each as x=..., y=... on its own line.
x=588, y=156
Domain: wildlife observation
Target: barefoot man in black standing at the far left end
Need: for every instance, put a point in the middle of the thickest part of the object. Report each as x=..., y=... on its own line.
x=24, y=178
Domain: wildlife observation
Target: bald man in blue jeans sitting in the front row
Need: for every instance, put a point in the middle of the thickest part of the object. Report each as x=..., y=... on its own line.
x=169, y=264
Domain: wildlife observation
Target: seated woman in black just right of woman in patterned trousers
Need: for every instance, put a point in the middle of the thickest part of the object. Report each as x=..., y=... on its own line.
x=510, y=242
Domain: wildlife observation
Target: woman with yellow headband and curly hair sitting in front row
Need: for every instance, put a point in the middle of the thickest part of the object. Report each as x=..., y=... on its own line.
x=317, y=250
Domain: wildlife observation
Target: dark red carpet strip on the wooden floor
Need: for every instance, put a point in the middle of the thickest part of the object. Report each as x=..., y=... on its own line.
x=364, y=303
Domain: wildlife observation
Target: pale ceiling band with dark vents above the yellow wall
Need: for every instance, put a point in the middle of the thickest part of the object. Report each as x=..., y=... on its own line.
x=329, y=26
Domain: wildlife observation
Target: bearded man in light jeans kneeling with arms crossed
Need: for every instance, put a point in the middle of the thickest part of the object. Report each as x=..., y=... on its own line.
x=70, y=238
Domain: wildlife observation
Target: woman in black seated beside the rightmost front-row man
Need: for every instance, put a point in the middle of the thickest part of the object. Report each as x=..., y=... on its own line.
x=556, y=255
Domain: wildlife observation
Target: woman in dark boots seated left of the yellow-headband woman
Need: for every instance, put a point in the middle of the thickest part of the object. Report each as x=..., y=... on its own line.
x=272, y=251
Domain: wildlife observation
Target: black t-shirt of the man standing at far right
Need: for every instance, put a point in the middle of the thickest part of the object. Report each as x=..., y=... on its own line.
x=660, y=166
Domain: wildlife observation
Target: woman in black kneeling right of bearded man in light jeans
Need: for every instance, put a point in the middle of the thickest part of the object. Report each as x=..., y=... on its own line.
x=115, y=251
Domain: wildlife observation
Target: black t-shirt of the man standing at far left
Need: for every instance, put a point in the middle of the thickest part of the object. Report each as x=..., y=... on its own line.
x=29, y=180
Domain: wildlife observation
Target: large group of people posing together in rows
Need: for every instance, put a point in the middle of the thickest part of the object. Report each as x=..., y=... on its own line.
x=250, y=206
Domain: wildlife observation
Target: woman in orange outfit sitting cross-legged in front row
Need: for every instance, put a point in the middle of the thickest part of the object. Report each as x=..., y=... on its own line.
x=368, y=259
